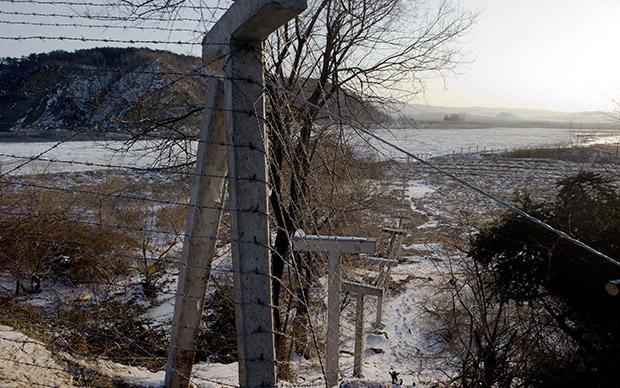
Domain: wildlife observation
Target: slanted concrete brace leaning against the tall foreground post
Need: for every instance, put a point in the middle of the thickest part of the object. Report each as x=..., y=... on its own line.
x=206, y=201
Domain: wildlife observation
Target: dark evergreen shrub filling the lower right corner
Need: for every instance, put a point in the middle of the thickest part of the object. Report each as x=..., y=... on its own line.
x=561, y=325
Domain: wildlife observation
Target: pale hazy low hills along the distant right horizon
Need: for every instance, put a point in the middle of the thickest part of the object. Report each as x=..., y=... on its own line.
x=422, y=112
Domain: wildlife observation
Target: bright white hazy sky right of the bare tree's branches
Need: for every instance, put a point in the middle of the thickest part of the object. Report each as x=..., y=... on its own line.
x=550, y=54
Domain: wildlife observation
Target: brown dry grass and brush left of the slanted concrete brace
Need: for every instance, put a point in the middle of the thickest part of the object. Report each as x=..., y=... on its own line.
x=75, y=243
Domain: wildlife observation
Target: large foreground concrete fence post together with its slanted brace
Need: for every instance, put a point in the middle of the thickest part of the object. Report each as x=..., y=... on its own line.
x=235, y=45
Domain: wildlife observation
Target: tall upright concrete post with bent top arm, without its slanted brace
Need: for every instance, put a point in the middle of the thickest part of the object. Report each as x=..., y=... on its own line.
x=239, y=35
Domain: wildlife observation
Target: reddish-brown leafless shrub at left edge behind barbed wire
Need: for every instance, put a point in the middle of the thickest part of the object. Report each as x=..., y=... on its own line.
x=43, y=235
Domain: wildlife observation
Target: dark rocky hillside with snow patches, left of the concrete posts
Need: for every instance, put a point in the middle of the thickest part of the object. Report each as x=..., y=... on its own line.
x=100, y=90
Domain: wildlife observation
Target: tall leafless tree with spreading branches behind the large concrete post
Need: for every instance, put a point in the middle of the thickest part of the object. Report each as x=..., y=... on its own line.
x=353, y=58
